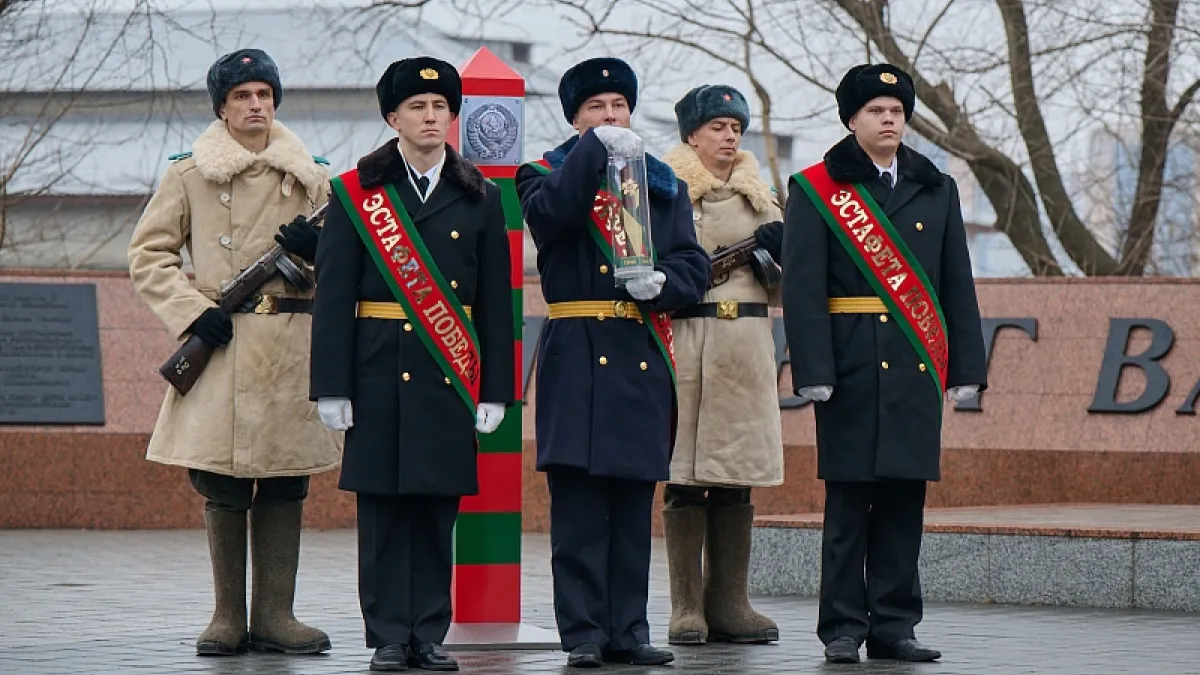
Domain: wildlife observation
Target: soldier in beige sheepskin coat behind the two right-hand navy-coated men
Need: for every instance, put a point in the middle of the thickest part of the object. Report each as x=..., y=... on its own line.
x=729, y=434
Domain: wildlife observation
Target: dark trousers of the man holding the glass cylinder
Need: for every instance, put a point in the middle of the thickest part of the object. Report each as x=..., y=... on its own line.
x=601, y=558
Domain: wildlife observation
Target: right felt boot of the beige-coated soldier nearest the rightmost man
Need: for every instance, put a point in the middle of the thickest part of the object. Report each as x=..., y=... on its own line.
x=727, y=599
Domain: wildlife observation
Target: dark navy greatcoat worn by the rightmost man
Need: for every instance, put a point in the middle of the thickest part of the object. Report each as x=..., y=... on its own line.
x=880, y=422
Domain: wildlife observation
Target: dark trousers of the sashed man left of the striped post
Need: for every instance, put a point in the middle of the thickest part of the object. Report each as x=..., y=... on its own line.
x=406, y=564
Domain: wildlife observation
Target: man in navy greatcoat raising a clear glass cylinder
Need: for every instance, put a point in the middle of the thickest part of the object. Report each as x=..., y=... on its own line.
x=605, y=379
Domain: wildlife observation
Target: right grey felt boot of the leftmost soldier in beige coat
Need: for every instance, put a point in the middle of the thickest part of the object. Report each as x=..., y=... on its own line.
x=275, y=546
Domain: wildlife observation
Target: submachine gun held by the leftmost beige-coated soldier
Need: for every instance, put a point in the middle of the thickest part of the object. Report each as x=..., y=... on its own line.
x=187, y=366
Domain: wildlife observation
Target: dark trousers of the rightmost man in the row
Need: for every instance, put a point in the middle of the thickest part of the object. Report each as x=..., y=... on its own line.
x=878, y=528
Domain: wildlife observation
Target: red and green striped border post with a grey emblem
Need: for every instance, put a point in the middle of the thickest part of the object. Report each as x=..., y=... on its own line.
x=488, y=535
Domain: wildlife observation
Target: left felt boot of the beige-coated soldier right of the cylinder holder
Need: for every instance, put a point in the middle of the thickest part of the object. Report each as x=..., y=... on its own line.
x=685, y=533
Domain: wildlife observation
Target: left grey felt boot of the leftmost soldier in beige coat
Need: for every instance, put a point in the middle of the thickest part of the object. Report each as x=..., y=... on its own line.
x=226, y=635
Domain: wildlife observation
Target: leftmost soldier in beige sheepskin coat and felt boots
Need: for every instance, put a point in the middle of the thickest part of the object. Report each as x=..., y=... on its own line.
x=247, y=433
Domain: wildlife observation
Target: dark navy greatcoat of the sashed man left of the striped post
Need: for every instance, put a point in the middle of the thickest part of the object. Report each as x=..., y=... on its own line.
x=413, y=437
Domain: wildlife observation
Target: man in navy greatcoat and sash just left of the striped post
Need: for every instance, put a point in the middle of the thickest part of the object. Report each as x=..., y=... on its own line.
x=392, y=378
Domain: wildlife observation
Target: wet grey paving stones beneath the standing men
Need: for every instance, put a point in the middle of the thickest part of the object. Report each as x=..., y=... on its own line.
x=107, y=604
